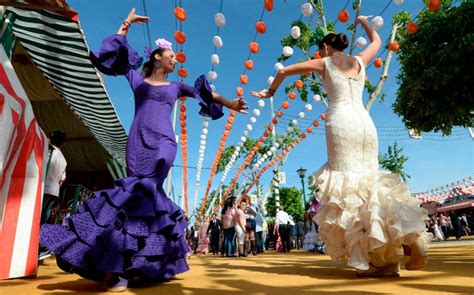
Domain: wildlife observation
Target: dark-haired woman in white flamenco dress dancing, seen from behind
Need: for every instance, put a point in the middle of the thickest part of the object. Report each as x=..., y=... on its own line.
x=366, y=214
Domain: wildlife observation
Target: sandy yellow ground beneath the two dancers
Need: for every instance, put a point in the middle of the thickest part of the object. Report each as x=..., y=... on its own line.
x=450, y=270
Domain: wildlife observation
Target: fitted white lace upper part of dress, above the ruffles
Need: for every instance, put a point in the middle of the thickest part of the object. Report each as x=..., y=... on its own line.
x=350, y=133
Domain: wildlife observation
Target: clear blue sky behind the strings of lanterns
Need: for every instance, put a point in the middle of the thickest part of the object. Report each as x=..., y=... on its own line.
x=433, y=160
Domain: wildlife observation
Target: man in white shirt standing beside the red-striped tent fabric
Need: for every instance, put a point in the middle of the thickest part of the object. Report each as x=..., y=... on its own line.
x=55, y=176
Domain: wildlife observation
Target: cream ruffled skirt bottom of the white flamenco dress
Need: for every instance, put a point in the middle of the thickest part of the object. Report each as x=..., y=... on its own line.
x=365, y=218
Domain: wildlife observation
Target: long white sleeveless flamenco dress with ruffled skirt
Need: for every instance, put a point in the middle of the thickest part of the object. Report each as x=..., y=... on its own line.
x=366, y=214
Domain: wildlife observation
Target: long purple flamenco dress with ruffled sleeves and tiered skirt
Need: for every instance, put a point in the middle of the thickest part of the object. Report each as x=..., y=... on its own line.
x=133, y=229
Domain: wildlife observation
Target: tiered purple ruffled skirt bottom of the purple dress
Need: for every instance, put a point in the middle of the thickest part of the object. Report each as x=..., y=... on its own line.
x=133, y=230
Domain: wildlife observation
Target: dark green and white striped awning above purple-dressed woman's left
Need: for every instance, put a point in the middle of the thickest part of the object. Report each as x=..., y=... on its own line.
x=57, y=47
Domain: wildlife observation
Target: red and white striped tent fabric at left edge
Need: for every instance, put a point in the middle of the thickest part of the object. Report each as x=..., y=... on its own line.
x=23, y=150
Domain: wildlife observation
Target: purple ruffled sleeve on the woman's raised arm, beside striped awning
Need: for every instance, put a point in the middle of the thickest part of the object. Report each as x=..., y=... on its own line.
x=116, y=56
